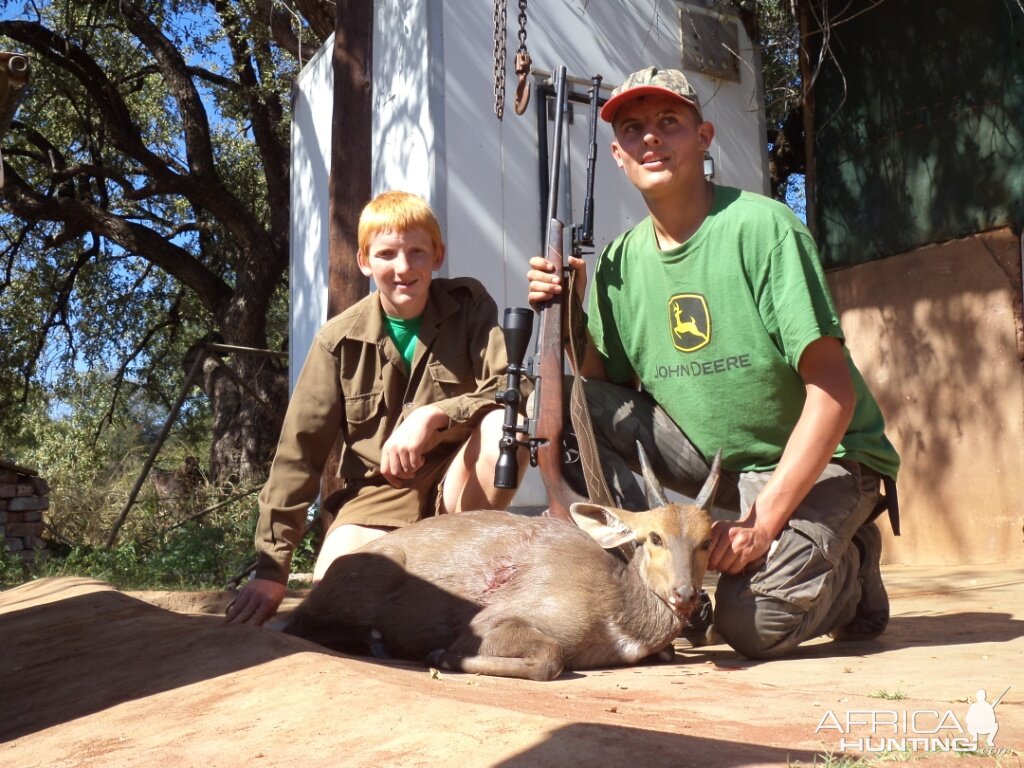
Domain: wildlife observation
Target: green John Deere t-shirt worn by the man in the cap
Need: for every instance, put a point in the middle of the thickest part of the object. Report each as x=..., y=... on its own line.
x=715, y=330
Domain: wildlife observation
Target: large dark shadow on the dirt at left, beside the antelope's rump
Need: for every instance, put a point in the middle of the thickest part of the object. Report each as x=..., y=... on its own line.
x=87, y=635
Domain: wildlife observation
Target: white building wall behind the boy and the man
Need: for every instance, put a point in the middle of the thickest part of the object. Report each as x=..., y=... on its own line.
x=436, y=134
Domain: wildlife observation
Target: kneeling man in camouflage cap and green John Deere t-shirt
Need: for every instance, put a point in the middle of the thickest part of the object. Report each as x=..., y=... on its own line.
x=712, y=327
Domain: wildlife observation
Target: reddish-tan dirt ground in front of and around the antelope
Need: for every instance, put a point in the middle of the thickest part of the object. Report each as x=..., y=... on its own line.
x=91, y=676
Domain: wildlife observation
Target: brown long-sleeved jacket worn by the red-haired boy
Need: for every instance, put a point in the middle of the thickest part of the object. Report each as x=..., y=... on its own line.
x=355, y=385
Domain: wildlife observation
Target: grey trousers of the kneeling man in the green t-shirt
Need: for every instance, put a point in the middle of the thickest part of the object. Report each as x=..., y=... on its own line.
x=807, y=586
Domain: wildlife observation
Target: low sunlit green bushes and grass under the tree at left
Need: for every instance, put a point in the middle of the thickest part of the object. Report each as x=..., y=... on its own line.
x=201, y=538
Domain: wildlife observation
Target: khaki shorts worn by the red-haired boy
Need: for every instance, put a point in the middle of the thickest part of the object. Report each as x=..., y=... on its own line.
x=377, y=503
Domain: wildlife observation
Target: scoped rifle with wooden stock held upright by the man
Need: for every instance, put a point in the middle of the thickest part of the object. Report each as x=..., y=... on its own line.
x=548, y=365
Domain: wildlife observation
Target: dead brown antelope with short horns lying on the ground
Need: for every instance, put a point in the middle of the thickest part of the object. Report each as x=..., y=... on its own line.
x=496, y=593
